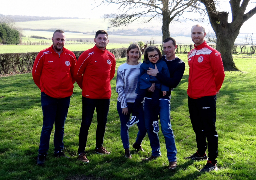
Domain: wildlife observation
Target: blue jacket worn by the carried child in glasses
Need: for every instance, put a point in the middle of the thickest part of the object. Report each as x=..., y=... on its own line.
x=145, y=80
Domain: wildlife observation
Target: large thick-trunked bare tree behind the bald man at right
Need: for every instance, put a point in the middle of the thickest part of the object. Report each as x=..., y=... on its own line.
x=226, y=32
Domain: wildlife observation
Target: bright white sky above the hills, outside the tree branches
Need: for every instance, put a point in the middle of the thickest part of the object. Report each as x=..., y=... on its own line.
x=84, y=9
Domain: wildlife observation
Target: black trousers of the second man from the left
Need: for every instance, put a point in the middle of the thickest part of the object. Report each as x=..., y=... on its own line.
x=89, y=105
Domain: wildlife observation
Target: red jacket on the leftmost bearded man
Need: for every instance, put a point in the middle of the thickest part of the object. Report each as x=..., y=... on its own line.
x=53, y=73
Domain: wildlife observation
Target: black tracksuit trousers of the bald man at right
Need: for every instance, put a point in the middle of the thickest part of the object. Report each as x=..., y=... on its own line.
x=203, y=117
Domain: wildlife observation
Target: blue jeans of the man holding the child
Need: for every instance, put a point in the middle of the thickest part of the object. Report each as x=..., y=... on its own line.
x=166, y=127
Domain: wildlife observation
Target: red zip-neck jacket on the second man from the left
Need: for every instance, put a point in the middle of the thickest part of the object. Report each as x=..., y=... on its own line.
x=95, y=68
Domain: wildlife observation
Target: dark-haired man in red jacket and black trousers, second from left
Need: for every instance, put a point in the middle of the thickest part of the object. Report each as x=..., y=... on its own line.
x=94, y=71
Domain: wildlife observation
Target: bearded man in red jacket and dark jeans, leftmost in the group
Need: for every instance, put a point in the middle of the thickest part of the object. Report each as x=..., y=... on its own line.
x=53, y=73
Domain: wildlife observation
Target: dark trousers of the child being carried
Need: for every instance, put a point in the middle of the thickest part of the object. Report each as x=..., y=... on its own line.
x=154, y=103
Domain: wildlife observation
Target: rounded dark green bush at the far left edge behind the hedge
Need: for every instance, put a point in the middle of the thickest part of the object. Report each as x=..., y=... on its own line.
x=8, y=35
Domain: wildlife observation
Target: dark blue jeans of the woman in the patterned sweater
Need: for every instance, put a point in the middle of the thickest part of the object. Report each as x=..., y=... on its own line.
x=124, y=129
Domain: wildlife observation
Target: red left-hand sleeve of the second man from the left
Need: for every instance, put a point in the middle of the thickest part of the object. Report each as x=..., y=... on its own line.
x=81, y=67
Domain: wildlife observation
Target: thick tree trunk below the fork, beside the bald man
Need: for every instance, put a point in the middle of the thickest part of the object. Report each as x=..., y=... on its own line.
x=225, y=45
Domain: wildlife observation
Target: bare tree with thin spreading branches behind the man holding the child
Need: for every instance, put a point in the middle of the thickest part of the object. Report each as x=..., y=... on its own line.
x=169, y=10
